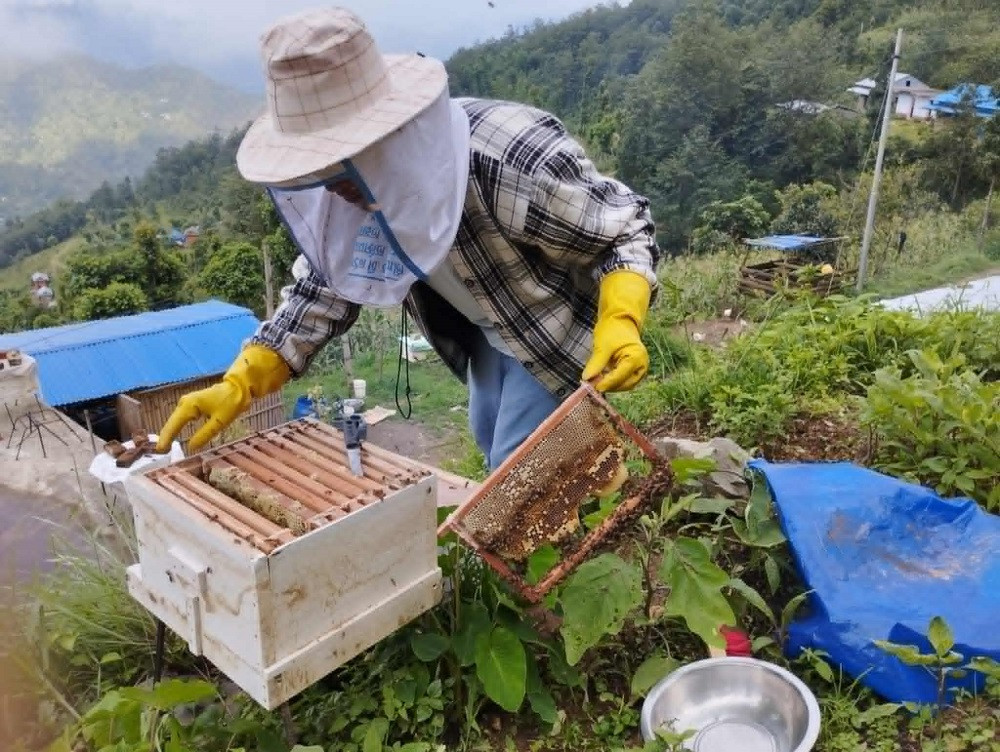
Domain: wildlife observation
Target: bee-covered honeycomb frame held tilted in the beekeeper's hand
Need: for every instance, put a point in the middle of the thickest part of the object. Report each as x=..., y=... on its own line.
x=559, y=488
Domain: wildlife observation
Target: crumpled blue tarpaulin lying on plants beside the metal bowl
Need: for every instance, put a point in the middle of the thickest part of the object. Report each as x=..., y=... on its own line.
x=883, y=557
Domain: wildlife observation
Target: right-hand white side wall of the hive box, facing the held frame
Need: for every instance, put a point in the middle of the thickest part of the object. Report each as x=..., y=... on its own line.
x=329, y=576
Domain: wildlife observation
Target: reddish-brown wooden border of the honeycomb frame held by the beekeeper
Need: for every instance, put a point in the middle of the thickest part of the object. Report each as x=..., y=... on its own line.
x=585, y=397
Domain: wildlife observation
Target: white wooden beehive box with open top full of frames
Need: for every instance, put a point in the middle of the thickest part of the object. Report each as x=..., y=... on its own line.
x=276, y=607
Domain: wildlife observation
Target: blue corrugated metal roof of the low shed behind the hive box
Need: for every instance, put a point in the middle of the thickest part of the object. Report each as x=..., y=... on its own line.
x=94, y=359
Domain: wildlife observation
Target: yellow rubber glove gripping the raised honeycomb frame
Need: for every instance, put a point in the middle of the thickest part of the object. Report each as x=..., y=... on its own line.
x=619, y=356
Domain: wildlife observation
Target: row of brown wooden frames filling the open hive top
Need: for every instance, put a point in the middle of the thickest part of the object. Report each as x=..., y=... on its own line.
x=278, y=484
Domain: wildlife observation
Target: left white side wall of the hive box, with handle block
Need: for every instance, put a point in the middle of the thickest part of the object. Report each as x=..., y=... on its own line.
x=207, y=579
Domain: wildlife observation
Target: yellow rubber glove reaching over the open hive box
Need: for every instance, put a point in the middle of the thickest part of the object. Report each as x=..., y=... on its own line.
x=255, y=372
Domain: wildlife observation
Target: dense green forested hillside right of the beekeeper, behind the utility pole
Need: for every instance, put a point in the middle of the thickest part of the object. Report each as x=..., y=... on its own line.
x=681, y=98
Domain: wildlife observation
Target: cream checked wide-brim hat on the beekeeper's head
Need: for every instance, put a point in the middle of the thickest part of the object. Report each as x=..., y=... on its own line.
x=330, y=95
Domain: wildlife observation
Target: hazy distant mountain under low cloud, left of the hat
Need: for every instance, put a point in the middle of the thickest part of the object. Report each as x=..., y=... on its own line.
x=68, y=124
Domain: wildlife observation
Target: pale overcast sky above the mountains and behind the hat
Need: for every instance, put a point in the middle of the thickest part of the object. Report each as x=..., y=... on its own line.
x=220, y=37
